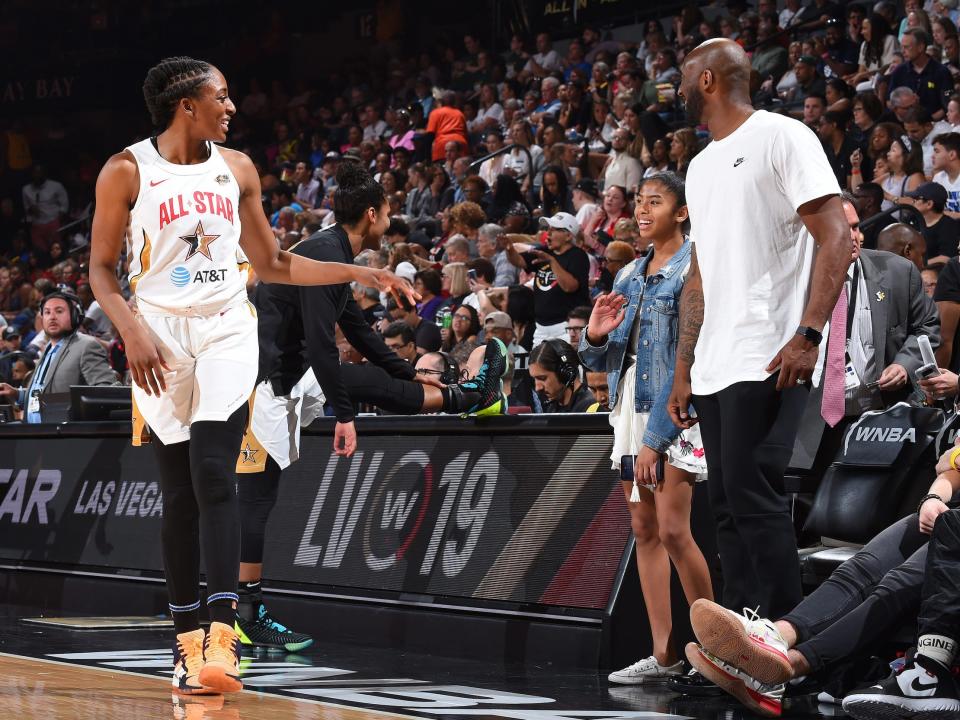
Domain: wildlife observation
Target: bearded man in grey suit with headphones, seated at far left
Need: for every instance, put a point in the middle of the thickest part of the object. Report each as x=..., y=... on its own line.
x=69, y=358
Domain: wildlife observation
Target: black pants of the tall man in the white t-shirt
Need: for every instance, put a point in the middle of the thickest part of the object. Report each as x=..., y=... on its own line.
x=749, y=430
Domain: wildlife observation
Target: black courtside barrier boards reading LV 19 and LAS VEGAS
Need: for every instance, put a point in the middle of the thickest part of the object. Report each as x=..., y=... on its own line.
x=516, y=518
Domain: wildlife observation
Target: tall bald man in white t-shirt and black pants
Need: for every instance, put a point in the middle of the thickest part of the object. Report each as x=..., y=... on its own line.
x=771, y=250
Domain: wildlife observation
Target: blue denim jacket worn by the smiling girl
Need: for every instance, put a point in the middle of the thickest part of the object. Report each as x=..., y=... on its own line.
x=658, y=300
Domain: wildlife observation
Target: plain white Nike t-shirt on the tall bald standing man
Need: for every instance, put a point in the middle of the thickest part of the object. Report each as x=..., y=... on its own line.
x=754, y=253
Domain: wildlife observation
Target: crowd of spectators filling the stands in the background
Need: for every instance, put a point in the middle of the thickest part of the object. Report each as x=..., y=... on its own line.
x=535, y=233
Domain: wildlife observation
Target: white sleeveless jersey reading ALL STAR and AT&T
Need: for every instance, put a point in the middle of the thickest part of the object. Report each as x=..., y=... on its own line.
x=185, y=234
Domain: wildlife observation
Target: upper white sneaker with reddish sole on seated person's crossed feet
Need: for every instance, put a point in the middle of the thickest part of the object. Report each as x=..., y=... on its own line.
x=748, y=642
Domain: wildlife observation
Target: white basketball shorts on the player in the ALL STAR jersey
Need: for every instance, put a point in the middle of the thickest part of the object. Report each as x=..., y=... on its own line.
x=213, y=367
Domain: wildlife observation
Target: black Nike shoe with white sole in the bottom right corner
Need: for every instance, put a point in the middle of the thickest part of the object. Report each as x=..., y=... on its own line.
x=923, y=690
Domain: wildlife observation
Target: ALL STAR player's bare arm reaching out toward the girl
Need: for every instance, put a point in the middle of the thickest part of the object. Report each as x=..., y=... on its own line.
x=274, y=265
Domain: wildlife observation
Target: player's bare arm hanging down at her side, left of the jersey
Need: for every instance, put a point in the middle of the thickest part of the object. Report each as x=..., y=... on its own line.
x=117, y=188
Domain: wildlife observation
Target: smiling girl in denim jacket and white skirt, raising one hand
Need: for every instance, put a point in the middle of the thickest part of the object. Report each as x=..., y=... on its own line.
x=632, y=335
